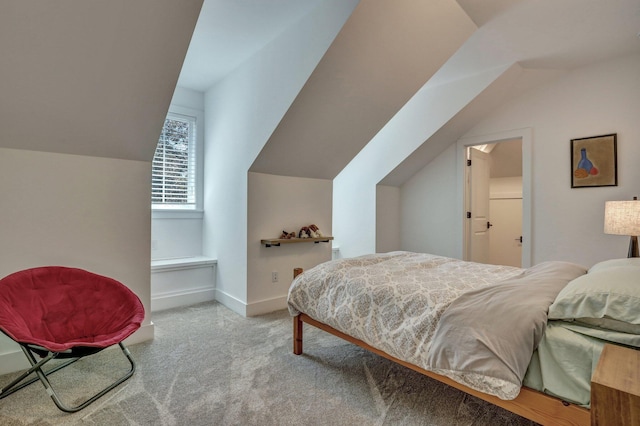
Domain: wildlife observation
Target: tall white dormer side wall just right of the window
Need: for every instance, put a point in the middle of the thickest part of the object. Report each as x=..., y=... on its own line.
x=241, y=113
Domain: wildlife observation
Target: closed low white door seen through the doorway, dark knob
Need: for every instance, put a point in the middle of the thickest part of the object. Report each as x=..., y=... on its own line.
x=506, y=233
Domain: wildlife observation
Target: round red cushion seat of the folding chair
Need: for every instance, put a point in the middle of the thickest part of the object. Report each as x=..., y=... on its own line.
x=61, y=308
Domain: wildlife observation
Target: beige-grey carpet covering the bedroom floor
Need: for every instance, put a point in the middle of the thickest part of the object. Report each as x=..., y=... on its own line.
x=210, y=366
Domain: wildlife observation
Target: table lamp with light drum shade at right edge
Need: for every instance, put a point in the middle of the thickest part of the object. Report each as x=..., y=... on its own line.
x=623, y=218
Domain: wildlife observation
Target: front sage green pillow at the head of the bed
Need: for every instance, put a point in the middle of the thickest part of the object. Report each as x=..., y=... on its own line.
x=608, y=296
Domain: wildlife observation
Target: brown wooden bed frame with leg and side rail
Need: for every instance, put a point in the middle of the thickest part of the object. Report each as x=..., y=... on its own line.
x=531, y=404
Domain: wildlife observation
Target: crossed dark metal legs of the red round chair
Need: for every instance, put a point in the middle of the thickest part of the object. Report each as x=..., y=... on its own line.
x=43, y=377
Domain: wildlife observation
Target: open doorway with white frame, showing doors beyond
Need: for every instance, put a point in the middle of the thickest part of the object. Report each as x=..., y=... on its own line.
x=496, y=198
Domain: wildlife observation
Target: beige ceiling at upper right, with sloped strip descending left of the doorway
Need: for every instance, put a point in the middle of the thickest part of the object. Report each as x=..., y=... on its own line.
x=542, y=39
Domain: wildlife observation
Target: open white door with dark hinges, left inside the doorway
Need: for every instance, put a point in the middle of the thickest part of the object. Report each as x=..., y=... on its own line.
x=478, y=184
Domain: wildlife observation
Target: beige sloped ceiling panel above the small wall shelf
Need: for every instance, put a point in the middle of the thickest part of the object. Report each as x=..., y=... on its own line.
x=384, y=53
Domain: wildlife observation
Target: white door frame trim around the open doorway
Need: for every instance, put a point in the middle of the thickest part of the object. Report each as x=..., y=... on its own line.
x=526, y=135
